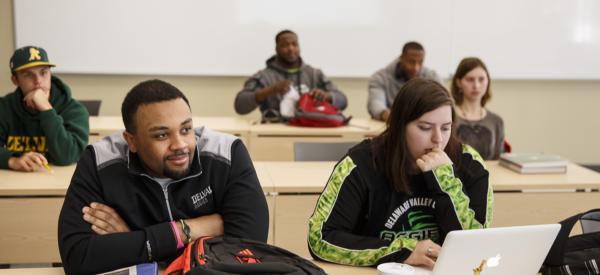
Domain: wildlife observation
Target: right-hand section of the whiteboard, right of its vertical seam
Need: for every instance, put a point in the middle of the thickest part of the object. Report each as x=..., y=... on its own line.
x=530, y=39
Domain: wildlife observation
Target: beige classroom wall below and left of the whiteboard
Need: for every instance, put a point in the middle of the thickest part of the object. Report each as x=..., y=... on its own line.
x=552, y=116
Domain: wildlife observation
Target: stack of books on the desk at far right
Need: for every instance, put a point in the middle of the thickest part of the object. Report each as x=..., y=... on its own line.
x=534, y=163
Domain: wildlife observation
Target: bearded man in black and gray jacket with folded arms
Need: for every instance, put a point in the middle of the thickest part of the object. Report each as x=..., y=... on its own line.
x=141, y=196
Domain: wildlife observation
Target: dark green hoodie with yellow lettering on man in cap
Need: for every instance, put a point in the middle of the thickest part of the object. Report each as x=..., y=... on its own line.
x=60, y=133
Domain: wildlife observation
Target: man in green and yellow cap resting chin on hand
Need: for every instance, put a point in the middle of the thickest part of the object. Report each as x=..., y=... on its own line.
x=40, y=122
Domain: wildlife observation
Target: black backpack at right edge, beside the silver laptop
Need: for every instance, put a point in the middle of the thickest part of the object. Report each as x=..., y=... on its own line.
x=577, y=254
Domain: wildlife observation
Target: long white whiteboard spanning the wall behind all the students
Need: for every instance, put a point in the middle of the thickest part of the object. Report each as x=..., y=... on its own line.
x=346, y=38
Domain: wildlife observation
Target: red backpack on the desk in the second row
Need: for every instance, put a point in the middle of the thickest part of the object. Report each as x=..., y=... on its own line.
x=313, y=113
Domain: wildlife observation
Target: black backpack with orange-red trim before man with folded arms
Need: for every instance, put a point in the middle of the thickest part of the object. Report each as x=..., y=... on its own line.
x=228, y=255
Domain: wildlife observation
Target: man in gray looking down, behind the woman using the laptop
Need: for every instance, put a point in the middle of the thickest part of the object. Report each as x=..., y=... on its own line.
x=385, y=83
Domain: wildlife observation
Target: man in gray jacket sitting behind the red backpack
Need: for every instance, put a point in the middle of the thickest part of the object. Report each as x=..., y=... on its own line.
x=267, y=87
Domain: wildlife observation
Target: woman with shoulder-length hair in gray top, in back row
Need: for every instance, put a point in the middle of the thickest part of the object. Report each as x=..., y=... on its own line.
x=476, y=125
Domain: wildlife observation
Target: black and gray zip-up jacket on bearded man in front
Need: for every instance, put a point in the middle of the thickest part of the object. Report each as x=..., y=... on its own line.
x=222, y=180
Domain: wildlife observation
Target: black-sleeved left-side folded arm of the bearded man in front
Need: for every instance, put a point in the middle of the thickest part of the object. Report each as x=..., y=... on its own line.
x=83, y=251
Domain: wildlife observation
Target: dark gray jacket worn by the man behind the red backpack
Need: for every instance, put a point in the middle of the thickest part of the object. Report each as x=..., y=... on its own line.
x=305, y=79
